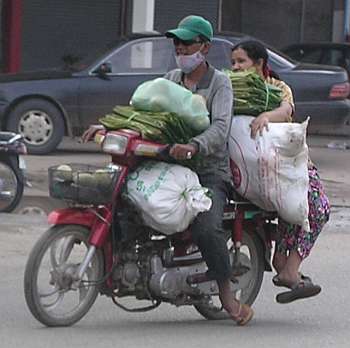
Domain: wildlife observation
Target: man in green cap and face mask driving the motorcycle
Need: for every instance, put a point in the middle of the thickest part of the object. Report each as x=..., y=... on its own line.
x=192, y=40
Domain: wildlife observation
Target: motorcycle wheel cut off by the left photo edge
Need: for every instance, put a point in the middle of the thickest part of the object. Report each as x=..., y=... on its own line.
x=11, y=185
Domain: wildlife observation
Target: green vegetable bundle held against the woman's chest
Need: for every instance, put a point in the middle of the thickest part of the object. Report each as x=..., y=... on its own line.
x=252, y=95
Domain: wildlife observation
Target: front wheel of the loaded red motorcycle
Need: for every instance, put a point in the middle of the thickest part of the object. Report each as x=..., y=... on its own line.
x=47, y=289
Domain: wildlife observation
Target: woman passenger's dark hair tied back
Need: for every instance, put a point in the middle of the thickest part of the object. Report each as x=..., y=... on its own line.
x=256, y=50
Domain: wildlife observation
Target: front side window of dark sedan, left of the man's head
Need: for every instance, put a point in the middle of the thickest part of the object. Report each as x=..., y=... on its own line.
x=145, y=56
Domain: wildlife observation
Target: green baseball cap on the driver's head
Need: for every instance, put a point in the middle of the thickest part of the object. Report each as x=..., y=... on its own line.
x=191, y=27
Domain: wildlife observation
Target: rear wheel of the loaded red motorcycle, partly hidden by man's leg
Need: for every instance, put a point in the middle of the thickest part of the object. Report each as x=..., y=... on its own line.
x=252, y=247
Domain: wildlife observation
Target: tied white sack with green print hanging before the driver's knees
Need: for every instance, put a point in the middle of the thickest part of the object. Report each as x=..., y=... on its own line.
x=169, y=196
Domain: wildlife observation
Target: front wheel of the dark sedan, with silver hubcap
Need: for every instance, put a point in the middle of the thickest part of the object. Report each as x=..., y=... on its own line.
x=40, y=123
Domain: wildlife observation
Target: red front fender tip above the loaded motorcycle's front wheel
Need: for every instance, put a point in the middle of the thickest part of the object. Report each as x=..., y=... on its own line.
x=72, y=216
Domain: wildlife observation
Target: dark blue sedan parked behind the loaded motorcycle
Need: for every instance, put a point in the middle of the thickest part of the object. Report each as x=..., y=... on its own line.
x=43, y=106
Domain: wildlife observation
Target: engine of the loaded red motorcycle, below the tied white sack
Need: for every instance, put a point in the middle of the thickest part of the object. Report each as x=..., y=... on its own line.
x=145, y=269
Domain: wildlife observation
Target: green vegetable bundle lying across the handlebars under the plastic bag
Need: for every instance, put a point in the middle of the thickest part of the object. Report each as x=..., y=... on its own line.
x=162, y=127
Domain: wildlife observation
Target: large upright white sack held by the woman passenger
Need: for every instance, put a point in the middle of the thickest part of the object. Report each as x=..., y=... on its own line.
x=271, y=170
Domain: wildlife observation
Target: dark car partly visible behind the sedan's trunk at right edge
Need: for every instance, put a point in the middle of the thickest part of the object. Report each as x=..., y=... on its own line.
x=327, y=53
